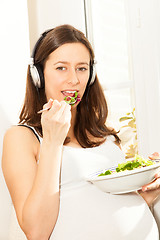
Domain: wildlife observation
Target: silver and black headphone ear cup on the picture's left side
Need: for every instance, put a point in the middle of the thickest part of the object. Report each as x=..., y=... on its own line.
x=37, y=75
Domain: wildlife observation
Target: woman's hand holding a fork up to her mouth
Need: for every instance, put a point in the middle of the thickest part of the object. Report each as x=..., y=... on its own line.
x=56, y=121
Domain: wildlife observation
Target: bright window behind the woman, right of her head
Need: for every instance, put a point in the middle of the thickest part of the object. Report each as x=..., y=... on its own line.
x=107, y=31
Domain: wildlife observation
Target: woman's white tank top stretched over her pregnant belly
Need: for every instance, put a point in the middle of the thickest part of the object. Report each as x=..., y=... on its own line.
x=87, y=213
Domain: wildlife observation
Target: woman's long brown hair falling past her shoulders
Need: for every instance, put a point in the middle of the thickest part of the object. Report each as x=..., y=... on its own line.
x=92, y=111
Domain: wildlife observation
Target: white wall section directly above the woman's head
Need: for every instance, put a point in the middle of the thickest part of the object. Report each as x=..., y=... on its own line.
x=48, y=14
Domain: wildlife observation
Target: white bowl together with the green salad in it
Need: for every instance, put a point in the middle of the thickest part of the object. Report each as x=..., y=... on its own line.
x=127, y=177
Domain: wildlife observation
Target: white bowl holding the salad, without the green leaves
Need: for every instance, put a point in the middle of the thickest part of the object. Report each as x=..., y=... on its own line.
x=127, y=181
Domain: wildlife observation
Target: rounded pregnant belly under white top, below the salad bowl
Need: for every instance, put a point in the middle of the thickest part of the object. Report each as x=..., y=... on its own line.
x=86, y=213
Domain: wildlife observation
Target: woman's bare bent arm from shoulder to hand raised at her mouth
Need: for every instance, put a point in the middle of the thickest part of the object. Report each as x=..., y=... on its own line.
x=34, y=188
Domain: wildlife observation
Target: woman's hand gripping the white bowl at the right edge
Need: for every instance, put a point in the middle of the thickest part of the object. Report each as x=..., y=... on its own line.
x=152, y=190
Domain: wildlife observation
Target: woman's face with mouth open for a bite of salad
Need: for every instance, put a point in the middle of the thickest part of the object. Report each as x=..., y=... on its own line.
x=66, y=71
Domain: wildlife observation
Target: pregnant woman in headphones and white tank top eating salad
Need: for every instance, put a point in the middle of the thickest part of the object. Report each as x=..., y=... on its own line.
x=46, y=178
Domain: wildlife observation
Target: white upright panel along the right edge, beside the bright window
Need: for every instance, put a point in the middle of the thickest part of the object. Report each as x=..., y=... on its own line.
x=144, y=37
